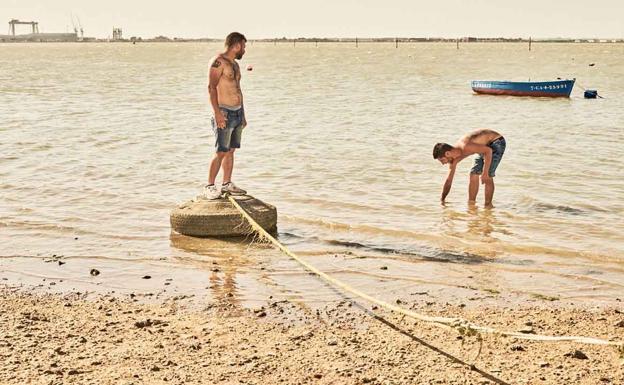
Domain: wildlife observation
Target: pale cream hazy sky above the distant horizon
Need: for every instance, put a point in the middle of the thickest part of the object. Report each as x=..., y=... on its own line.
x=325, y=18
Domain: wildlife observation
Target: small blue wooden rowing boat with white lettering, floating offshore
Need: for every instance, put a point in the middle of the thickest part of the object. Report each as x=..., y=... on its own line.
x=557, y=88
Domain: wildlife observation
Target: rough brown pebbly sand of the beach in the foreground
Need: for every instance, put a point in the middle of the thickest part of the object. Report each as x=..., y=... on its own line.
x=81, y=337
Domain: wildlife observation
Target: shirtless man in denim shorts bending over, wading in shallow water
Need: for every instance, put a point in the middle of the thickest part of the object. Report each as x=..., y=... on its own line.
x=490, y=145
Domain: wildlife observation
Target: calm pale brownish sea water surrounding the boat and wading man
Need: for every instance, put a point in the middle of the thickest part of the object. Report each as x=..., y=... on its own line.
x=99, y=141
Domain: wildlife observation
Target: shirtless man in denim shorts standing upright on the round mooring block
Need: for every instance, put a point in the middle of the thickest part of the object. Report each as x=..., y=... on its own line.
x=226, y=99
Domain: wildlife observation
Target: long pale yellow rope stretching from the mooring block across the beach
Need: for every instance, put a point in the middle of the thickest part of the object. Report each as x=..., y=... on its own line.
x=463, y=326
